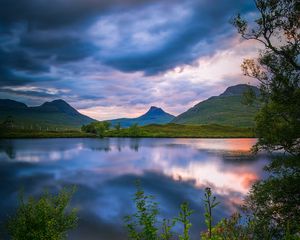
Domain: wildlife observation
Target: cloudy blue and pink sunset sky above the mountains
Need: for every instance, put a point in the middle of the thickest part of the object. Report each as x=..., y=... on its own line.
x=116, y=58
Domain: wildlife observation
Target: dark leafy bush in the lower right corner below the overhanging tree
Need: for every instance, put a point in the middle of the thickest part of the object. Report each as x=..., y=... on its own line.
x=273, y=204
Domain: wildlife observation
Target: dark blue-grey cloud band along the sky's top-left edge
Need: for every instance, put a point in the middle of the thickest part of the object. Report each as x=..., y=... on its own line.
x=56, y=13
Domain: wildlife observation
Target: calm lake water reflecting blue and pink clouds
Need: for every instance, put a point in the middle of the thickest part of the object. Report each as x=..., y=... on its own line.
x=105, y=170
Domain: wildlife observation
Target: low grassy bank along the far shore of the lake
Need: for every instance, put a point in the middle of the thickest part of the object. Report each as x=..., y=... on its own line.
x=150, y=131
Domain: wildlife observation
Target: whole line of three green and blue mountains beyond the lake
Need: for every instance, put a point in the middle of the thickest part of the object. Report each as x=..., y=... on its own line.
x=225, y=109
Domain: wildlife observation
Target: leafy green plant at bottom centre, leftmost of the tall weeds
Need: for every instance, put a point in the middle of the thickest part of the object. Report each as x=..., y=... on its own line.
x=143, y=224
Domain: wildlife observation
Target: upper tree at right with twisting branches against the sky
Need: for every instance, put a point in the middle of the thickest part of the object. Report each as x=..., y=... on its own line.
x=278, y=70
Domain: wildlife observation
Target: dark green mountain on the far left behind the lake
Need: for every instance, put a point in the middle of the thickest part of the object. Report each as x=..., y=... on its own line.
x=57, y=114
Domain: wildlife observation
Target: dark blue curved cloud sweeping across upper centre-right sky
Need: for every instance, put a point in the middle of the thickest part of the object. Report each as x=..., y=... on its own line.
x=202, y=33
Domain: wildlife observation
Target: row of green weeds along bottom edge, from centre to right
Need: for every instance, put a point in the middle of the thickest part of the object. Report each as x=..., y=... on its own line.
x=144, y=223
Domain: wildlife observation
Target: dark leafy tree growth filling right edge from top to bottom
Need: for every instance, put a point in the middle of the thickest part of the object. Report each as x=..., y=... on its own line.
x=273, y=203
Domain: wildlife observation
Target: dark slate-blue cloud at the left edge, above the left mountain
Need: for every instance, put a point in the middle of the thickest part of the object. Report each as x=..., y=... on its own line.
x=25, y=57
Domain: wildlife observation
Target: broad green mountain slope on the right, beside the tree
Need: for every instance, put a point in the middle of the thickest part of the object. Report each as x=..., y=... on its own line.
x=225, y=109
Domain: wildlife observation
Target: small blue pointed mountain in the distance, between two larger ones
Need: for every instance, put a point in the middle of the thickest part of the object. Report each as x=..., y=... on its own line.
x=154, y=115
